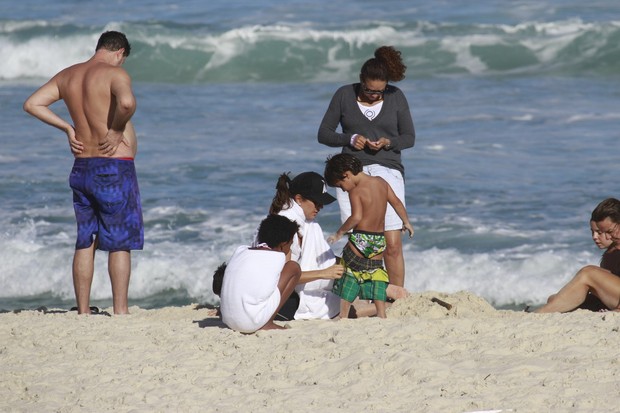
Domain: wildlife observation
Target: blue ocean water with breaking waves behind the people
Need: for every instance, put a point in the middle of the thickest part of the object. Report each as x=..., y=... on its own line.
x=516, y=108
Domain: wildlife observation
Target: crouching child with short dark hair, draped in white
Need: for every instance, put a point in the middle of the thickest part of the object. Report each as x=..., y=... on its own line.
x=258, y=280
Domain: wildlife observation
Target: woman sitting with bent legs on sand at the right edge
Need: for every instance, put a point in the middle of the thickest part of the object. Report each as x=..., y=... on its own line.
x=598, y=281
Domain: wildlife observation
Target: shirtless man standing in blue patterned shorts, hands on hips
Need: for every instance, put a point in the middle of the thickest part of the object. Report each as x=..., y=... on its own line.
x=106, y=198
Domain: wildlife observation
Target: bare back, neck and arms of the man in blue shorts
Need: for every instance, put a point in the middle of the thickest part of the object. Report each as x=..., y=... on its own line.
x=100, y=101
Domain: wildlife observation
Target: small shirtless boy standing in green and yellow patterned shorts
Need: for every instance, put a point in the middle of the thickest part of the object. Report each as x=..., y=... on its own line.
x=369, y=196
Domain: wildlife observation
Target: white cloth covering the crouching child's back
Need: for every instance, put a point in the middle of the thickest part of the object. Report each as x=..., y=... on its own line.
x=250, y=294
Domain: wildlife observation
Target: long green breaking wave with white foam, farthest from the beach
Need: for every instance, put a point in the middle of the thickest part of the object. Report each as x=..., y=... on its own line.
x=430, y=47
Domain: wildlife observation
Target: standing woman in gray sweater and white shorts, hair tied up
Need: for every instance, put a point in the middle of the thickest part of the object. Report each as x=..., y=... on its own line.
x=376, y=126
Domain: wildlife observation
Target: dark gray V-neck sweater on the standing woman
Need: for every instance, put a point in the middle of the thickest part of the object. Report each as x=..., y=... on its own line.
x=393, y=122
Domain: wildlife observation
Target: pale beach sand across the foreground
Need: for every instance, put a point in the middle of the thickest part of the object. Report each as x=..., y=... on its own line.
x=423, y=358
